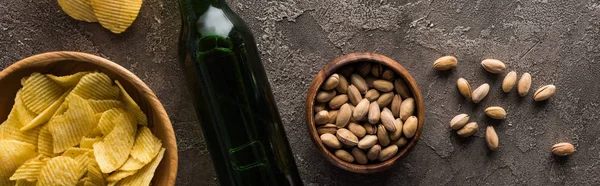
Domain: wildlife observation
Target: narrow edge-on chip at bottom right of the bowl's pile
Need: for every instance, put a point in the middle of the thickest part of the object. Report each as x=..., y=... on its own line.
x=144, y=175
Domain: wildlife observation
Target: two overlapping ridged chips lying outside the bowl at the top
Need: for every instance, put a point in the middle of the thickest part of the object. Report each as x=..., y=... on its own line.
x=114, y=15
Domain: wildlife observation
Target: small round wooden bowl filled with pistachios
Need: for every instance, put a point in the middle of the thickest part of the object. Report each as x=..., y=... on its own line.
x=363, y=112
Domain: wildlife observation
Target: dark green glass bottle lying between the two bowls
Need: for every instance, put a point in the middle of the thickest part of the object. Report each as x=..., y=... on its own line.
x=232, y=97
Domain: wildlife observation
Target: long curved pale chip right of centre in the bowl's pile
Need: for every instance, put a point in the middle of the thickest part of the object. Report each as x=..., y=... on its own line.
x=114, y=150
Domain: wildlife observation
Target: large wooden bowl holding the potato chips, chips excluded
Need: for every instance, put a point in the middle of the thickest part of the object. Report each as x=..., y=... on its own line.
x=65, y=63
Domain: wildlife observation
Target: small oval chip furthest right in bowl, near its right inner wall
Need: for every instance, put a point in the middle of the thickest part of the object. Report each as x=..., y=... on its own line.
x=146, y=145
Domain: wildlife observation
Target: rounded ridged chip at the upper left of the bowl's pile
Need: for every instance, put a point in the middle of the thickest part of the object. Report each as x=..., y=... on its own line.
x=39, y=92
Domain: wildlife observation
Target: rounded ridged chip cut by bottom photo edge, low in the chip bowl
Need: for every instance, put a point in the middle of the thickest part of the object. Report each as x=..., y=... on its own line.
x=59, y=170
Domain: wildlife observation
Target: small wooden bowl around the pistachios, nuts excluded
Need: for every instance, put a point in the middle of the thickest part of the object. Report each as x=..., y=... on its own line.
x=333, y=67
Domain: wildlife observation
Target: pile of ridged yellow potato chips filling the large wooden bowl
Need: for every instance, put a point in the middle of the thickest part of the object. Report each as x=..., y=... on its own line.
x=79, y=129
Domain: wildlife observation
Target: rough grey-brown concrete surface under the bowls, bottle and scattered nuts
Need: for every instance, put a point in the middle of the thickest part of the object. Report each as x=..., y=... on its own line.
x=558, y=42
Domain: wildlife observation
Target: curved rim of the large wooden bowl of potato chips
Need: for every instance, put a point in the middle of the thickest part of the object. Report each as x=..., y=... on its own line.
x=145, y=91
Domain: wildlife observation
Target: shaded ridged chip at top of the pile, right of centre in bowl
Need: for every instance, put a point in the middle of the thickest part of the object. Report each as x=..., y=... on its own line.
x=97, y=86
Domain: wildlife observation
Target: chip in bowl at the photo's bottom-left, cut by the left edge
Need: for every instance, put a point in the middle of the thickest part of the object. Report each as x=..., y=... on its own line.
x=12, y=155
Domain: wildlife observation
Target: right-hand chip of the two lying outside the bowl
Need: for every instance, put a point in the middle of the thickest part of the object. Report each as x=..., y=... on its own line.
x=116, y=15
